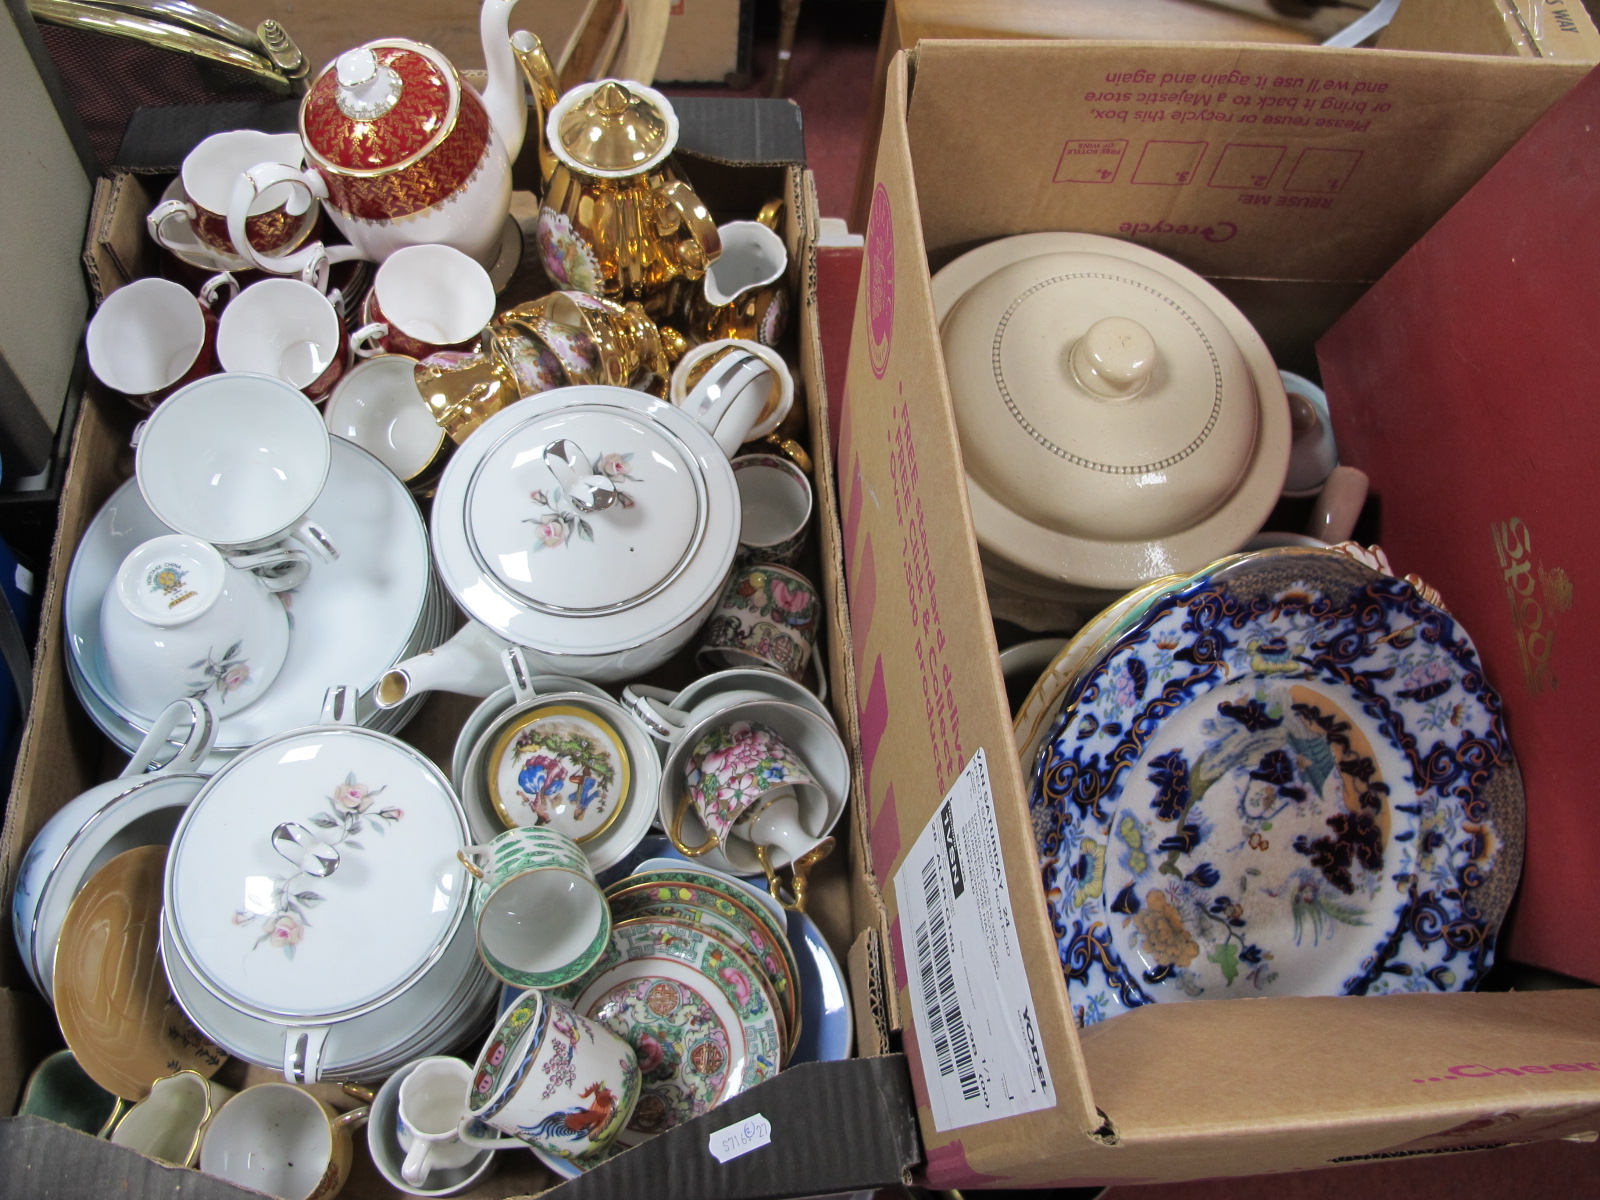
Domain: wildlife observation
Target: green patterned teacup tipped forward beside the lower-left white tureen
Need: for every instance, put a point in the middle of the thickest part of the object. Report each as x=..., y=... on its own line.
x=542, y=918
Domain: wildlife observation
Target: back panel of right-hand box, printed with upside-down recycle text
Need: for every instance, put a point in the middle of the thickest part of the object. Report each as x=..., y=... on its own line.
x=1274, y=162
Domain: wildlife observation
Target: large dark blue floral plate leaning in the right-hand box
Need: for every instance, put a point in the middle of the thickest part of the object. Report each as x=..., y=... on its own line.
x=1289, y=778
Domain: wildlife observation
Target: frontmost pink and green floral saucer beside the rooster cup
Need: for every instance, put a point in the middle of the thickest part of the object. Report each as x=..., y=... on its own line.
x=698, y=1018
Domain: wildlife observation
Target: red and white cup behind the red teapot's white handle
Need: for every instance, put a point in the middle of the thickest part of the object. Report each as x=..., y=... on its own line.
x=278, y=218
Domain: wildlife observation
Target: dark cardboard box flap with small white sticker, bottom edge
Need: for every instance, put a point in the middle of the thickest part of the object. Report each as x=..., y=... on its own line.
x=822, y=1127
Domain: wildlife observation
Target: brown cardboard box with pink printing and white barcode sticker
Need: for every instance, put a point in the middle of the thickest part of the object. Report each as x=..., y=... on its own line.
x=1292, y=178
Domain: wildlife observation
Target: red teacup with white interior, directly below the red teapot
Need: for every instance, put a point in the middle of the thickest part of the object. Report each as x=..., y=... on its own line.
x=425, y=300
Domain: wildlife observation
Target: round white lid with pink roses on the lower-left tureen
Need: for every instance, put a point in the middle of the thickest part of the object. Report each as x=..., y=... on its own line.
x=316, y=874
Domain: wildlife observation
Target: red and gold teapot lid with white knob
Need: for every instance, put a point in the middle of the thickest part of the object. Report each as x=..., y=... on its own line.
x=380, y=108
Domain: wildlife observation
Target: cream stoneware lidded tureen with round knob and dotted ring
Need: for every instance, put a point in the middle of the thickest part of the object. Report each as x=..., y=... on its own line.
x=1119, y=418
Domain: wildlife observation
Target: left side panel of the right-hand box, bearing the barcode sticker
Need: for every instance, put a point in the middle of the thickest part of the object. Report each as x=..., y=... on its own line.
x=930, y=692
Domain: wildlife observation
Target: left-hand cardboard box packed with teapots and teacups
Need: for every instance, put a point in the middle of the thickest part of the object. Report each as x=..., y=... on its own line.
x=63, y=756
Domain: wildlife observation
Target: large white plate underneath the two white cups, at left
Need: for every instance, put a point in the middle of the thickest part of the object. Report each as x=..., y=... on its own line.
x=353, y=618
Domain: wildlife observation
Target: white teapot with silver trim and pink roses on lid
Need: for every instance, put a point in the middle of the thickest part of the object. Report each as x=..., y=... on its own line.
x=593, y=526
